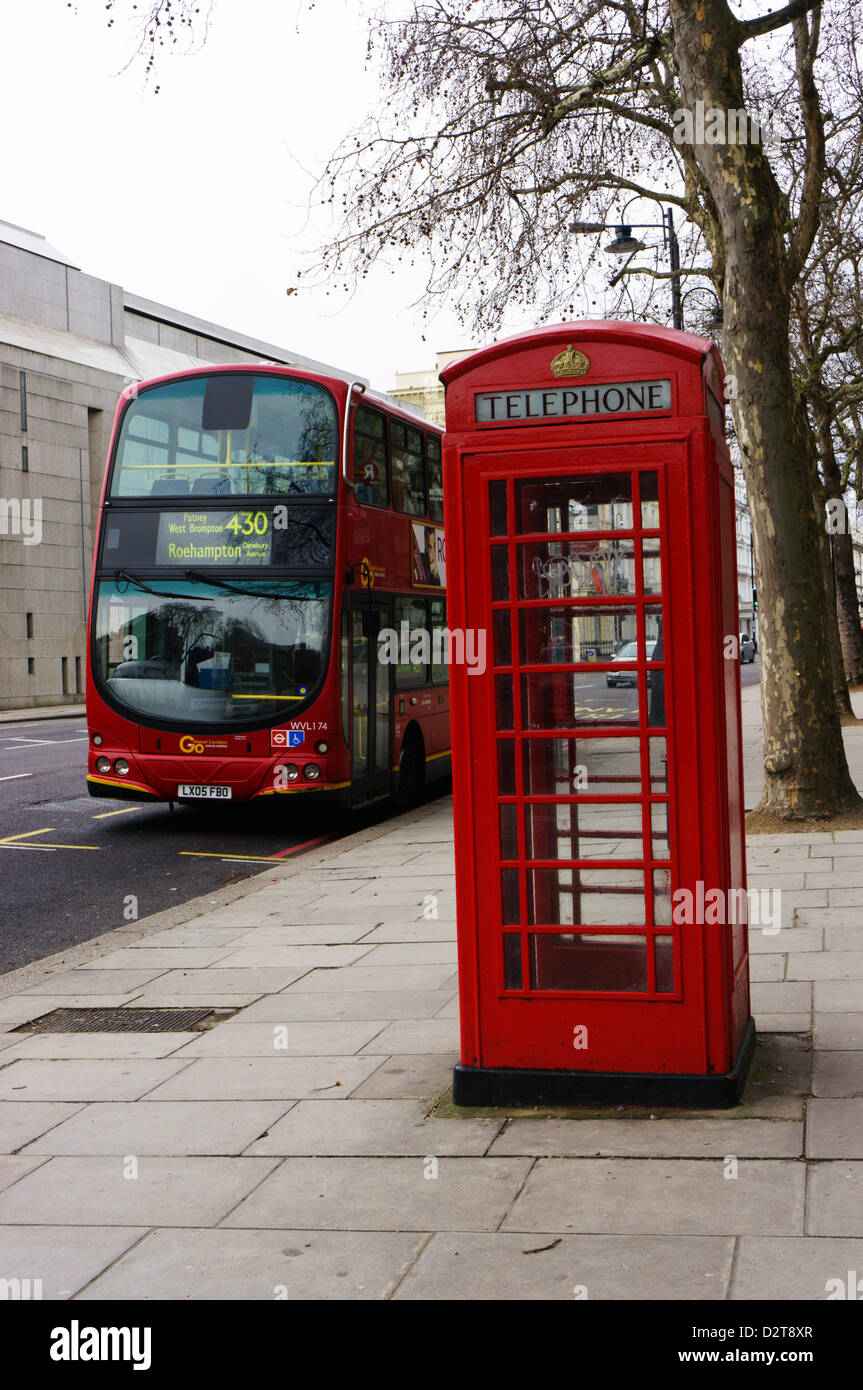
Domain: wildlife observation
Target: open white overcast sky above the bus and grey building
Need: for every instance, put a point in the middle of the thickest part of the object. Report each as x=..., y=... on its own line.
x=198, y=197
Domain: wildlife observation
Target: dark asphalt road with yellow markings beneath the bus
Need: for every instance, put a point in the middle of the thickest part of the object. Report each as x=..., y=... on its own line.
x=70, y=864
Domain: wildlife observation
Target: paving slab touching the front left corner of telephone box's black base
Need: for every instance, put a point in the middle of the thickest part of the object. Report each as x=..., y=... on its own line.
x=375, y=1129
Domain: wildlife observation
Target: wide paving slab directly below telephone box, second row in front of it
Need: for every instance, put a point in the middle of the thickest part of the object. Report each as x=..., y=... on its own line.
x=661, y=1197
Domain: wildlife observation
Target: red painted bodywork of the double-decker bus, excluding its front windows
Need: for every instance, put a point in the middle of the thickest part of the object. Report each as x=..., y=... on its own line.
x=373, y=571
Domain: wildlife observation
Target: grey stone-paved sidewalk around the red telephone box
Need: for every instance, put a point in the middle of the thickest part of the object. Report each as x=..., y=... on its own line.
x=294, y=1150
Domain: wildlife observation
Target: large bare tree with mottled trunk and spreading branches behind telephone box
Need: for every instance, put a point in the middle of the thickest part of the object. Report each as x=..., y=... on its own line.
x=507, y=120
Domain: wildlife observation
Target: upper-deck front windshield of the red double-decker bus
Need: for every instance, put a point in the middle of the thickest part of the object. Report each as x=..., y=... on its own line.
x=229, y=434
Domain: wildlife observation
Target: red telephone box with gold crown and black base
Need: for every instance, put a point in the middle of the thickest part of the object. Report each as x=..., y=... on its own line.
x=597, y=758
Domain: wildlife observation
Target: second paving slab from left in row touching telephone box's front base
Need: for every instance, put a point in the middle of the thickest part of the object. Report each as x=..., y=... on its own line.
x=167, y=1128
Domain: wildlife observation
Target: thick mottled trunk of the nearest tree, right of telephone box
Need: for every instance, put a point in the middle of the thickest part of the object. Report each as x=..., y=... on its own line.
x=805, y=765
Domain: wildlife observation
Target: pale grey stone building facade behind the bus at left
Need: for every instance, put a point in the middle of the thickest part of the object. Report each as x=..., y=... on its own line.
x=70, y=344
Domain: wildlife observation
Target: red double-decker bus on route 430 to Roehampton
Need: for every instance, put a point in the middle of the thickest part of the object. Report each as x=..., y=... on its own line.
x=261, y=530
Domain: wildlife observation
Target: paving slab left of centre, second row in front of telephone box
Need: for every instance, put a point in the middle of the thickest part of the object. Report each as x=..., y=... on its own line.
x=383, y=1195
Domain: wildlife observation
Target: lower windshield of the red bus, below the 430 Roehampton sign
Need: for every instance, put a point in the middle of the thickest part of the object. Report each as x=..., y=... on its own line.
x=181, y=650
